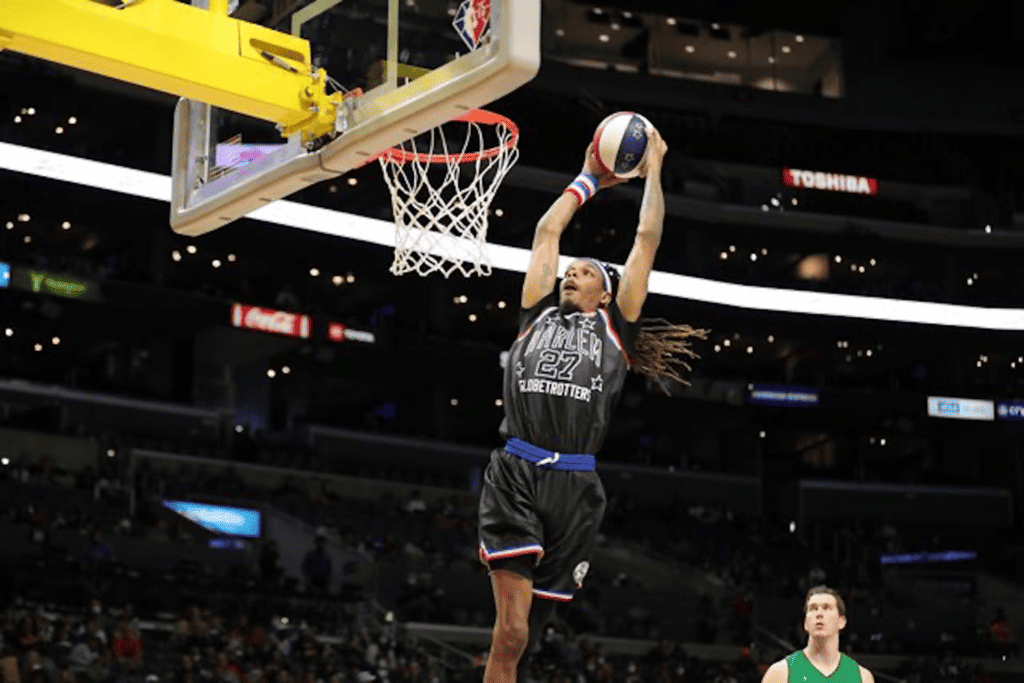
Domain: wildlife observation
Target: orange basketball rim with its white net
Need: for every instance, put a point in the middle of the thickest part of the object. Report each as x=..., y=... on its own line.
x=442, y=189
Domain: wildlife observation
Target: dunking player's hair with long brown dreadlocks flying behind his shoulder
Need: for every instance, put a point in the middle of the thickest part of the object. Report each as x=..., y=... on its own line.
x=661, y=347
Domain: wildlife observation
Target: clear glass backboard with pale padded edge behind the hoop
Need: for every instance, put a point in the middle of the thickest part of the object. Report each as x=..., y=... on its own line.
x=408, y=66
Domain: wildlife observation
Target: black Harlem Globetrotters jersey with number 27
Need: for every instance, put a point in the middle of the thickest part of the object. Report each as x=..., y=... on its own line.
x=565, y=376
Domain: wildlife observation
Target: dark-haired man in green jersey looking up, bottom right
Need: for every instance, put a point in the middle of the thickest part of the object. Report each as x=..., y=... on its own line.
x=825, y=617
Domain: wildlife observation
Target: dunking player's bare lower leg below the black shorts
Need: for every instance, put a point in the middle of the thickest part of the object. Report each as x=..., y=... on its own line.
x=514, y=596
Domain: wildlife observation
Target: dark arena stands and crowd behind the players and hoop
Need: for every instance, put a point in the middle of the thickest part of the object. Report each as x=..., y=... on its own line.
x=193, y=492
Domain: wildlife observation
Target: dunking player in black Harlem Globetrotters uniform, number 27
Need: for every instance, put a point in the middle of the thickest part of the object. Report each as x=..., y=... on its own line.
x=542, y=502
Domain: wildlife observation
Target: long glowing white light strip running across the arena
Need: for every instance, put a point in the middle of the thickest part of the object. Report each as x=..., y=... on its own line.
x=156, y=187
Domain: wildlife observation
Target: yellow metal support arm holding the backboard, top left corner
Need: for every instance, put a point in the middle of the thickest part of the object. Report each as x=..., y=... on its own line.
x=165, y=46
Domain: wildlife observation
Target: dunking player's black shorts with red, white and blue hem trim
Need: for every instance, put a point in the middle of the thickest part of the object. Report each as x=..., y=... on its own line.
x=552, y=515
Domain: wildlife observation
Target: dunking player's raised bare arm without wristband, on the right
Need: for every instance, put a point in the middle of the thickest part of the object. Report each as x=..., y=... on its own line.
x=633, y=290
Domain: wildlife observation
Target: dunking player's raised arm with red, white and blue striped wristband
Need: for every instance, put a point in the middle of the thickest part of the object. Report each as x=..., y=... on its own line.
x=543, y=271
